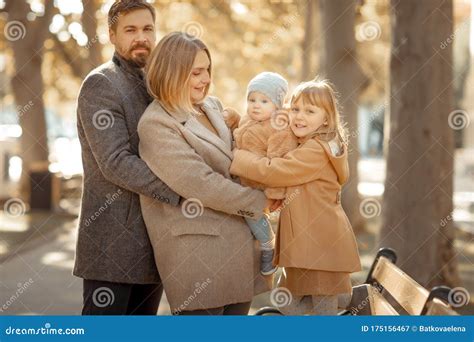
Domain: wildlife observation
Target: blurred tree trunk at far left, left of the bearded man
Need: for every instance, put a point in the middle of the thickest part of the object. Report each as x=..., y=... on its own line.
x=27, y=39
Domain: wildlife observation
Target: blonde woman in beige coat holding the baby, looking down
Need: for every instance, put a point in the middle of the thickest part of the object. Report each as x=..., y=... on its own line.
x=205, y=252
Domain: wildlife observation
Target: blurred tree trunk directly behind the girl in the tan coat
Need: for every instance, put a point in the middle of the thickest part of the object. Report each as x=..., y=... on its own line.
x=338, y=64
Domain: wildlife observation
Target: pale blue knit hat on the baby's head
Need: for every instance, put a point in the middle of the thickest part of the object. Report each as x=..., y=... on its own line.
x=270, y=84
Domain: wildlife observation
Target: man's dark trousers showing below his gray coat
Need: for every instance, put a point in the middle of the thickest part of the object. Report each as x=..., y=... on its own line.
x=106, y=298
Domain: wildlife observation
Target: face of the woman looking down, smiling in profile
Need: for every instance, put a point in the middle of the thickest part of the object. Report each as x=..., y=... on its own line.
x=200, y=77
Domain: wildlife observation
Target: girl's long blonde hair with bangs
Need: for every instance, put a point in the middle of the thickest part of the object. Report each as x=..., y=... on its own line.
x=321, y=93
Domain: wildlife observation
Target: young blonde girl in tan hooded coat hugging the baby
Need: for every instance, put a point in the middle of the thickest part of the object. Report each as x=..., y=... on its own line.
x=315, y=243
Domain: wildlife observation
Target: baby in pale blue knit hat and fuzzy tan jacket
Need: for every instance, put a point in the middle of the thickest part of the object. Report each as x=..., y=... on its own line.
x=264, y=131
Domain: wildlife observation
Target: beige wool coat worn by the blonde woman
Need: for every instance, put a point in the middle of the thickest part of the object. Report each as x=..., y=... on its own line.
x=204, y=250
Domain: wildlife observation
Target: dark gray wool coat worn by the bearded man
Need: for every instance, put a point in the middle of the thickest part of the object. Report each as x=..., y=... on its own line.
x=113, y=243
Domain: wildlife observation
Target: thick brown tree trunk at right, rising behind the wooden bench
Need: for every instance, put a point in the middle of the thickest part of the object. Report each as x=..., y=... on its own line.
x=418, y=198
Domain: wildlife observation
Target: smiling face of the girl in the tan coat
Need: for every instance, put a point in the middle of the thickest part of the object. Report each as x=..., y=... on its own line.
x=306, y=118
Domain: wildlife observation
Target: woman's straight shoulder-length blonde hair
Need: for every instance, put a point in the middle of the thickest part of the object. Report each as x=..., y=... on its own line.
x=169, y=69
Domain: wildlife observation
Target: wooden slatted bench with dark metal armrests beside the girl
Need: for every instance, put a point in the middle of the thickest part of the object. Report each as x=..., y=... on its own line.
x=390, y=291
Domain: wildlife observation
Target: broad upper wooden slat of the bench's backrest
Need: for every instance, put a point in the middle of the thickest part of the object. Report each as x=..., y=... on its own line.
x=406, y=291
